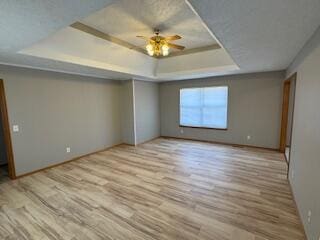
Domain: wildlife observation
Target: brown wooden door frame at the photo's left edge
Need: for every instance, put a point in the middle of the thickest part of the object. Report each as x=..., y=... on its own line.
x=6, y=131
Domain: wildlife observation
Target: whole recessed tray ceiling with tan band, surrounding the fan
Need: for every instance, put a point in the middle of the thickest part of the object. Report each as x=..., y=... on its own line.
x=107, y=40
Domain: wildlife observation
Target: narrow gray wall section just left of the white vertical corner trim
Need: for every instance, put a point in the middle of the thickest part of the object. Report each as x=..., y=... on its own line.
x=127, y=113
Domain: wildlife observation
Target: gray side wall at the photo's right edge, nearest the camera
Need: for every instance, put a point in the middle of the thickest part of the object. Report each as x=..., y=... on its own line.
x=305, y=161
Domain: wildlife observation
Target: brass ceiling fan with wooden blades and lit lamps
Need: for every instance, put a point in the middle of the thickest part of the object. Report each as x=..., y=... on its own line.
x=159, y=45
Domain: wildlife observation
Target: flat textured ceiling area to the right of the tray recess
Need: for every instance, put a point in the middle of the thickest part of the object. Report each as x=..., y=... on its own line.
x=260, y=35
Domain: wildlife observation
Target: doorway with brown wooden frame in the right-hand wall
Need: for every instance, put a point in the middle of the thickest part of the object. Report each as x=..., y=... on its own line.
x=289, y=89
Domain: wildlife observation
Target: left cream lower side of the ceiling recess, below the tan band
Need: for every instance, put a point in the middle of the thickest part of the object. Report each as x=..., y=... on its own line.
x=74, y=46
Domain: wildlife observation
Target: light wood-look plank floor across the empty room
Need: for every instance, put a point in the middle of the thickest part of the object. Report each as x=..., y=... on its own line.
x=164, y=189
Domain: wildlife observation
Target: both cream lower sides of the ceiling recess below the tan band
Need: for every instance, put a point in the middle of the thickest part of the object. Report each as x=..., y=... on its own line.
x=73, y=46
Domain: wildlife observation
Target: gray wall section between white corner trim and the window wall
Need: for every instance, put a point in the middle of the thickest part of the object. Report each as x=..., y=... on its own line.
x=147, y=110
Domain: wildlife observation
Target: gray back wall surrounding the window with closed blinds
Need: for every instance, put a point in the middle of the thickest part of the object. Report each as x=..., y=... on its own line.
x=254, y=109
